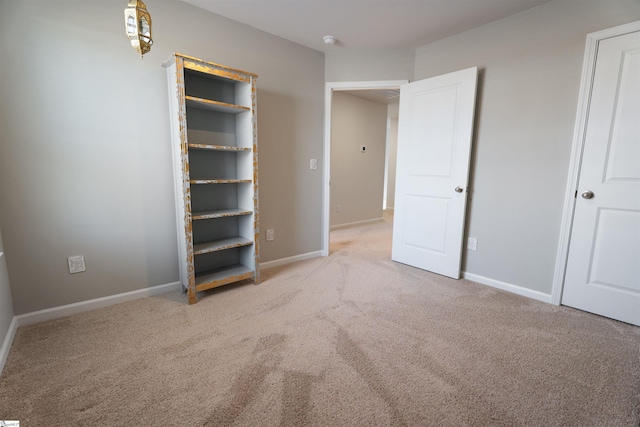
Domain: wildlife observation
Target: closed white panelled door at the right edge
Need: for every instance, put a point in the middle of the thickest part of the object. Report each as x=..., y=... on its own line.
x=603, y=266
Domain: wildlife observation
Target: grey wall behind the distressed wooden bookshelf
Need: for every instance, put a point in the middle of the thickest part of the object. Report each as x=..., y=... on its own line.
x=84, y=149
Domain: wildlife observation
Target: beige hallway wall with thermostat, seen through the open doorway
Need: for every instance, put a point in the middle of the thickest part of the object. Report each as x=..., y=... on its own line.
x=357, y=179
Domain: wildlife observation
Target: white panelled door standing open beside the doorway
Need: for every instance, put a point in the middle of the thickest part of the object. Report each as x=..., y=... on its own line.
x=434, y=146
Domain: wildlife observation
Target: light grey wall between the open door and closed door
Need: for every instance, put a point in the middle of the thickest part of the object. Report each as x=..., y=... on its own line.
x=530, y=75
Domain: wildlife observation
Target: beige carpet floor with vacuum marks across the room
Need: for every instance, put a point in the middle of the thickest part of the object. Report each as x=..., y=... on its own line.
x=352, y=339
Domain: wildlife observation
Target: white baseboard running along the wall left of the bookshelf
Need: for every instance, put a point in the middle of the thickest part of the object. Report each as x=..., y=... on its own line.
x=80, y=307
